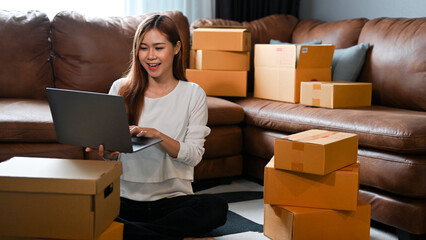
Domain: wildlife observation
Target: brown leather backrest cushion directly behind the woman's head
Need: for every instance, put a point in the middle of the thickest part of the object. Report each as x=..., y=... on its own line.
x=91, y=53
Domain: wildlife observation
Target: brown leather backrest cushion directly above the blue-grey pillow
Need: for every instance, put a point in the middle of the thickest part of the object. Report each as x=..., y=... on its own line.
x=342, y=34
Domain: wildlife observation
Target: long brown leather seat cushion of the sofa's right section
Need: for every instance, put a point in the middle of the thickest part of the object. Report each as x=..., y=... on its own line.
x=378, y=127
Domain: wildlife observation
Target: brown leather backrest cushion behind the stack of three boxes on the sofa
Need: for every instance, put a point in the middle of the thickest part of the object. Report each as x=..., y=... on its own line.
x=277, y=26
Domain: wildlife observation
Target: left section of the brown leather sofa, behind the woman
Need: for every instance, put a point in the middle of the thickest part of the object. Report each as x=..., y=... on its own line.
x=75, y=52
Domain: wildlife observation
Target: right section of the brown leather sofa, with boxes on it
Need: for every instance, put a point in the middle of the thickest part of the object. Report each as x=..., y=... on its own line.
x=392, y=132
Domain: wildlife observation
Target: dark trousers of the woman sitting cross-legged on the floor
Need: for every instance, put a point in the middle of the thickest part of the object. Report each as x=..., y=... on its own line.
x=172, y=218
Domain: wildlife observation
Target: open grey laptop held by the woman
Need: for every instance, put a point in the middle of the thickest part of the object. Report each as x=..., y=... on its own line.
x=90, y=119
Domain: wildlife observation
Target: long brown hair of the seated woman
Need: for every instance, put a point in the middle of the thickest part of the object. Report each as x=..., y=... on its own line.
x=133, y=90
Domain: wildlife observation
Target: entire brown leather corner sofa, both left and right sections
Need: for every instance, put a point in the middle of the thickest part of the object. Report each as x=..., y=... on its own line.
x=76, y=52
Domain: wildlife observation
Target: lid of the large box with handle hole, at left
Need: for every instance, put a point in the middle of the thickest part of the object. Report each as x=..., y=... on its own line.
x=51, y=175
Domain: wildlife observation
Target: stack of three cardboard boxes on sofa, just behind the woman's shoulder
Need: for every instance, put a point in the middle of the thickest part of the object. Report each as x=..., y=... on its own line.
x=220, y=60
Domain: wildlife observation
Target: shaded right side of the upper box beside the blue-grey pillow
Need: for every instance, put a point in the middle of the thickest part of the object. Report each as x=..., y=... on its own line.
x=315, y=56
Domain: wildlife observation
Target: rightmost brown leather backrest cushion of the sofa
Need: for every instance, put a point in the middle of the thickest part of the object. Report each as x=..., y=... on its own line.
x=396, y=61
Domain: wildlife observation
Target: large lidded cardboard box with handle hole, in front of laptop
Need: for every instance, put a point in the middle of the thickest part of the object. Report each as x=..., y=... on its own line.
x=58, y=198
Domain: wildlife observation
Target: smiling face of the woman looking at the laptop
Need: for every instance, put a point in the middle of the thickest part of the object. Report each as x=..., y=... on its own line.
x=156, y=54
